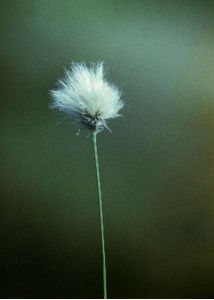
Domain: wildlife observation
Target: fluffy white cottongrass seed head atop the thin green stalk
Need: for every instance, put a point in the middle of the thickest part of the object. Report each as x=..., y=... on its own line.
x=86, y=95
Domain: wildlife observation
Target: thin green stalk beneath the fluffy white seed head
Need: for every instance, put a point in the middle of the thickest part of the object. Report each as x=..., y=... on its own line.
x=94, y=137
